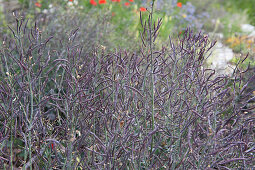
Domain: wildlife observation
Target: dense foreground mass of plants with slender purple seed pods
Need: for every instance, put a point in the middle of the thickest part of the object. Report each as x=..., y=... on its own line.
x=65, y=106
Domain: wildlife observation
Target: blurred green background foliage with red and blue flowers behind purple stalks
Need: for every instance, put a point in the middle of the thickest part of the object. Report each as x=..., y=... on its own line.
x=122, y=17
